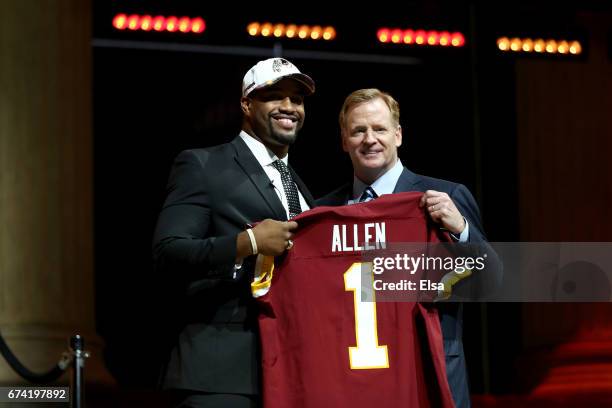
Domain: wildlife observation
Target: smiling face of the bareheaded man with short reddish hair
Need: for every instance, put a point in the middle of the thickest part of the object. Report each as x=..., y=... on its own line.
x=371, y=137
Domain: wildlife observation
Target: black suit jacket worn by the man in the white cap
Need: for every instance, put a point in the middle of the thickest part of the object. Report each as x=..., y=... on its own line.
x=212, y=194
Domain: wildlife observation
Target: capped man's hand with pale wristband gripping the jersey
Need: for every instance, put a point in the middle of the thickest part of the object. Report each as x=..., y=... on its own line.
x=271, y=236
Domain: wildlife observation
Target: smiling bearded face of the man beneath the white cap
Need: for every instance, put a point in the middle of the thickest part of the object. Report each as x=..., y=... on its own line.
x=275, y=114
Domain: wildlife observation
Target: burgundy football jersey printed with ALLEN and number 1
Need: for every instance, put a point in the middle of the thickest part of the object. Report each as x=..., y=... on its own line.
x=325, y=346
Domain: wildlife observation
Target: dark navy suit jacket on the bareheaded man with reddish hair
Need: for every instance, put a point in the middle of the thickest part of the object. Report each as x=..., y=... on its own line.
x=486, y=282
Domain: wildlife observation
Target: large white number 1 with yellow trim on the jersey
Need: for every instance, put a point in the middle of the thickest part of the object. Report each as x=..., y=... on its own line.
x=367, y=354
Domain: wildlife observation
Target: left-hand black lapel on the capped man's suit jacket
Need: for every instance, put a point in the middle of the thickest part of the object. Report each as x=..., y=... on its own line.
x=258, y=177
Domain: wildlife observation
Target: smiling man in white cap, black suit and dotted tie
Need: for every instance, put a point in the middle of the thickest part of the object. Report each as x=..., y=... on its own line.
x=203, y=237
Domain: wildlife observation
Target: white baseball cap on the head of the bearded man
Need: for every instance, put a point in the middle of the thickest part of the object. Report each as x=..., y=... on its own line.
x=272, y=70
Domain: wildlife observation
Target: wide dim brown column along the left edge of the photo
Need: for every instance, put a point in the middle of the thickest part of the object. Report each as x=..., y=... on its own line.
x=46, y=206
